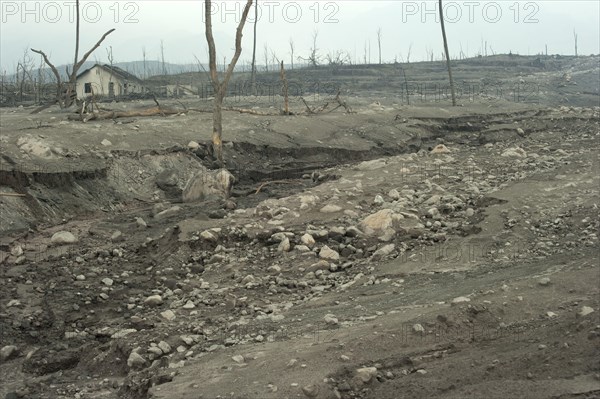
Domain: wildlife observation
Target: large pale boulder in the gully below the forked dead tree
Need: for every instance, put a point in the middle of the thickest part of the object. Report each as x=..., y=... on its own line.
x=207, y=184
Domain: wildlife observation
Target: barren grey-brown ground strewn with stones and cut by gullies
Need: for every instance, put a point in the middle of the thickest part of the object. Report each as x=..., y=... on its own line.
x=408, y=249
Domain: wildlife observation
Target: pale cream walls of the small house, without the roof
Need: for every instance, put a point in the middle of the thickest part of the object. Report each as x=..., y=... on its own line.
x=100, y=79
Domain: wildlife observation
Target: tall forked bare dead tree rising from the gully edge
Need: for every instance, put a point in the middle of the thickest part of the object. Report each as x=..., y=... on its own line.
x=220, y=87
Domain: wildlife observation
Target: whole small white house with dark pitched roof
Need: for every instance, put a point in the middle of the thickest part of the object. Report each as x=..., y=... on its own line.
x=107, y=81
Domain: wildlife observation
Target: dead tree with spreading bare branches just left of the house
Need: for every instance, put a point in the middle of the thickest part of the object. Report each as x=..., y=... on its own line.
x=65, y=99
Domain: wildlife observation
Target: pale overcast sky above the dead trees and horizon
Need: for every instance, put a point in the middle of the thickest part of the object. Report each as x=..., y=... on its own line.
x=523, y=27
